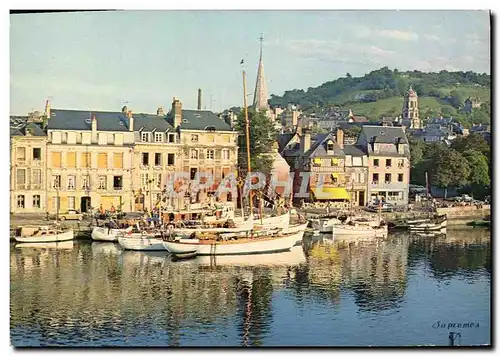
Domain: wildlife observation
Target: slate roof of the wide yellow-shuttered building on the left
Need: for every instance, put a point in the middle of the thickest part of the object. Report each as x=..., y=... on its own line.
x=62, y=119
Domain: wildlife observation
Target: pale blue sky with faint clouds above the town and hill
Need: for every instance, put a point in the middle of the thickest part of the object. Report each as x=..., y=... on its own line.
x=104, y=60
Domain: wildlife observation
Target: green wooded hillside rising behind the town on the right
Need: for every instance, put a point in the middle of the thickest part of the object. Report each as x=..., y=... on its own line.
x=380, y=93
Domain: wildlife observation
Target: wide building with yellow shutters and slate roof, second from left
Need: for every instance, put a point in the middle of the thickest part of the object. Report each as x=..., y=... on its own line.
x=89, y=160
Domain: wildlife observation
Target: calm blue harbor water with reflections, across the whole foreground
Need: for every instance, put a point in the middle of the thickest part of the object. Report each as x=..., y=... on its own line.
x=401, y=291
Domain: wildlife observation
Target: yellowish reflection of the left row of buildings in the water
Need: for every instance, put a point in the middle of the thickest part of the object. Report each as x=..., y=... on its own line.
x=86, y=293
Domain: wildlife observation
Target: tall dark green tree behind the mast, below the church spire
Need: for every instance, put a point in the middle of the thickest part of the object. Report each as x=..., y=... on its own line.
x=262, y=137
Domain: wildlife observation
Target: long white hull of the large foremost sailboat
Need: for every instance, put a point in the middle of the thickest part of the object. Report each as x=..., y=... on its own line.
x=245, y=246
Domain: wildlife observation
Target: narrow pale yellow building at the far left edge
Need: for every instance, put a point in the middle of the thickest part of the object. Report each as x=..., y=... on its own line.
x=28, y=169
